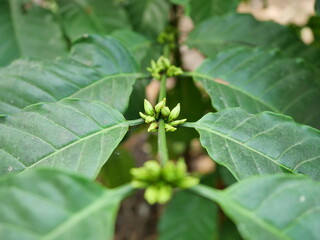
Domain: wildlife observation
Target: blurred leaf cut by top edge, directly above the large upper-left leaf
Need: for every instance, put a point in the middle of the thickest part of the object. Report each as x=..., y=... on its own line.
x=92, y=17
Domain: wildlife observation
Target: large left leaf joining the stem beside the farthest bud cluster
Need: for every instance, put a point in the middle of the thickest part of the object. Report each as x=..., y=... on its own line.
x=99, y=68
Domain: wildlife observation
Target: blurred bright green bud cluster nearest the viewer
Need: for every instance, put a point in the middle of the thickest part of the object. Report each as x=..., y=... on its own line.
x=159, y=181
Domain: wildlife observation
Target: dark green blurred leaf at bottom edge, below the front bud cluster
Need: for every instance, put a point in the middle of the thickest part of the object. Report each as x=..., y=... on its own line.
x=189, y=217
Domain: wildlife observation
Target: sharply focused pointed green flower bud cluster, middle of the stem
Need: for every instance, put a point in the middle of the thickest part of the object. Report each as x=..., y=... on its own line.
x=161, y=111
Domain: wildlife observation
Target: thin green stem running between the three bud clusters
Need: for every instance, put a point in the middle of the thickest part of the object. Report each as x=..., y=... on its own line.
x=162, y=142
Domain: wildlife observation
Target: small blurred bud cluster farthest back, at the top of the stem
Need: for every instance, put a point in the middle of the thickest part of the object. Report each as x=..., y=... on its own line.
x=163, y=66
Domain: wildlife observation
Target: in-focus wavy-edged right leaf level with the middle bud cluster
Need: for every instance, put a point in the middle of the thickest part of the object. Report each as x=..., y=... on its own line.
x=263, y=143
